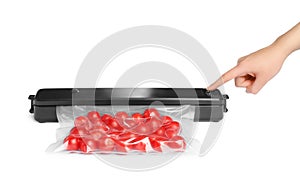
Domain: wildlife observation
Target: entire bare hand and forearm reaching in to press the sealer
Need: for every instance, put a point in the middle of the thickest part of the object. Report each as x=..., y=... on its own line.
x=253, y=71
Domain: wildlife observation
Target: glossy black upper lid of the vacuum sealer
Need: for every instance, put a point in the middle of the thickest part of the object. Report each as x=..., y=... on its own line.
x=127, y=96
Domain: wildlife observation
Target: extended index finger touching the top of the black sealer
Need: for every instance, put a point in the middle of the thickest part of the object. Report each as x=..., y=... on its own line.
x=232, y=73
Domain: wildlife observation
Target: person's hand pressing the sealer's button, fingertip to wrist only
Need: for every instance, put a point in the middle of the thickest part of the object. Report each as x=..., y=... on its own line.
x=254, y=70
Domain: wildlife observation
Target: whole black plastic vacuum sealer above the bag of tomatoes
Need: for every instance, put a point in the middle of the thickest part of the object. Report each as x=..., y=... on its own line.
x=209, y=105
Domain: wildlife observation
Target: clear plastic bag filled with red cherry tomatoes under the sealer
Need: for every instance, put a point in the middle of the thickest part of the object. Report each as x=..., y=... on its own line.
x=128, y=130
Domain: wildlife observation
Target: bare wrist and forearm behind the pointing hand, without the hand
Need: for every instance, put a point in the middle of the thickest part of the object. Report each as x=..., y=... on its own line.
x=290, y=41
